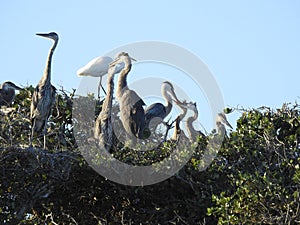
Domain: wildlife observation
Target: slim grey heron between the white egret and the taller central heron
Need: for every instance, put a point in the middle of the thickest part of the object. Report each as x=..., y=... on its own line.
x=103, y=126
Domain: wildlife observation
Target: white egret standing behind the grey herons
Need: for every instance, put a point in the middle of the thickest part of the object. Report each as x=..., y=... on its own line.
x=98, y=67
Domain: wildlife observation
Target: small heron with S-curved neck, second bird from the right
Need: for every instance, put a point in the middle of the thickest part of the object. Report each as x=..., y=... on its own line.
x=193, y=134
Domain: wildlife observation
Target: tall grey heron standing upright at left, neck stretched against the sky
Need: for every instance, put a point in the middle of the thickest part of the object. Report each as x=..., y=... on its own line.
x=43, y=96
